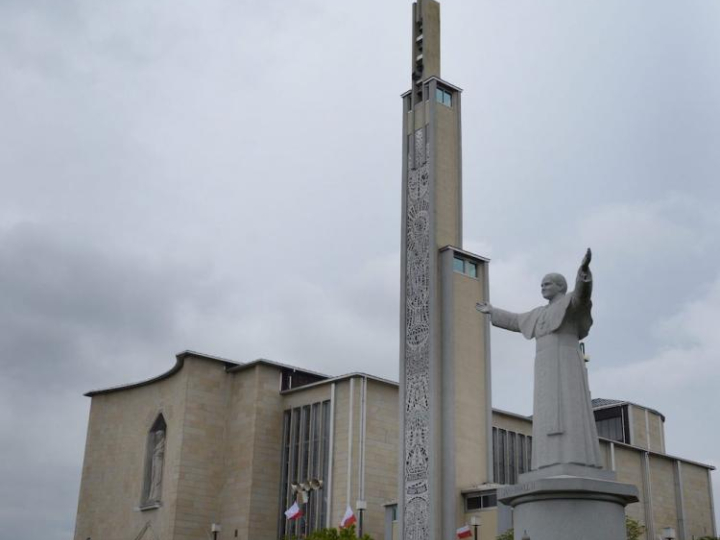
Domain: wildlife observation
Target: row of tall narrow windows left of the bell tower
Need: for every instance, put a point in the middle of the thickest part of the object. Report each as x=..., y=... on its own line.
x=305, y=459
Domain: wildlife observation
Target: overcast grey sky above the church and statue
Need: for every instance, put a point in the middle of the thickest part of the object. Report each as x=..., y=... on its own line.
x=224, y=176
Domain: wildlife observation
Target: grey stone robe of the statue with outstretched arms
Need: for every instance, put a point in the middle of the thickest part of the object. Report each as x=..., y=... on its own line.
x=563, y=423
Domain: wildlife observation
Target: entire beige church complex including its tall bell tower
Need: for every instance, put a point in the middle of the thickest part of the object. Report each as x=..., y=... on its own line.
x=220, y=449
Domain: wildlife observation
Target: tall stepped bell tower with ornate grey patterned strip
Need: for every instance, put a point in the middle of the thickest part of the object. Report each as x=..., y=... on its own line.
x=445, y=397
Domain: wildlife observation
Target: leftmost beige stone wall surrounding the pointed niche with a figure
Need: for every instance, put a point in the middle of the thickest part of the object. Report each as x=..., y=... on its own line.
x=114, y=462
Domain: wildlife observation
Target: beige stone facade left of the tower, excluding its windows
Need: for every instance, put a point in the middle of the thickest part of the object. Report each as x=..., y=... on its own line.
x=223, y=451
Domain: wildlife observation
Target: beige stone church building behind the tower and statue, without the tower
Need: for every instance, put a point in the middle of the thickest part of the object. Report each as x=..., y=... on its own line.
x=242, y=442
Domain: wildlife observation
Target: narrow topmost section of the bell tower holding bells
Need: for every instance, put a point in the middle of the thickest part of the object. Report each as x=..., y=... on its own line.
x=426, y=41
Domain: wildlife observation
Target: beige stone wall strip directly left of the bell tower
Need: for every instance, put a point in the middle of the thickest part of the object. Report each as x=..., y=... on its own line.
x=381, y=455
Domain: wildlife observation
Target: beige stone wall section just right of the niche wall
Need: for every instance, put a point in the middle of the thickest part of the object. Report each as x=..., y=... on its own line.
x=201, y=471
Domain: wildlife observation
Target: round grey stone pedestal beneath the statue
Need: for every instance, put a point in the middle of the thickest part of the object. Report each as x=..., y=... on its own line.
x=568, y=507
